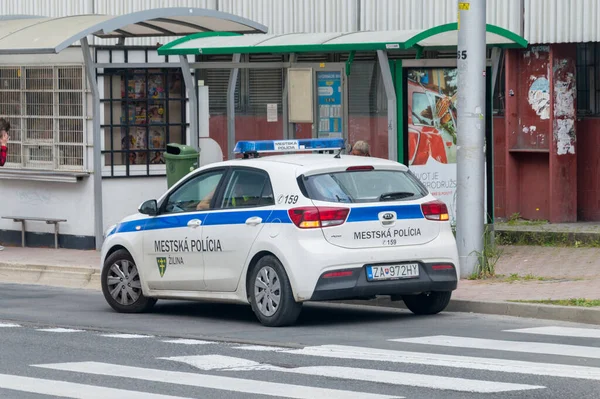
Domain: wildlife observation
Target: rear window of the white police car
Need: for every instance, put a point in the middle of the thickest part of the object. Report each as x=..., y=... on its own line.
x=363, y=186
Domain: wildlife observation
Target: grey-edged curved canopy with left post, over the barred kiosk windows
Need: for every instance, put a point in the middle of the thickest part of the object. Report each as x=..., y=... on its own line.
x=24, y=34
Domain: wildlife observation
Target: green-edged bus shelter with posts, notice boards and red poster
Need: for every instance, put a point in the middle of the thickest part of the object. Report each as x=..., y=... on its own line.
x=400, y=56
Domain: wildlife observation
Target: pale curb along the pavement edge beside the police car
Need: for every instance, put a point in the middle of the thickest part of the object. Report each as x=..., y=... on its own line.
x=89, y=278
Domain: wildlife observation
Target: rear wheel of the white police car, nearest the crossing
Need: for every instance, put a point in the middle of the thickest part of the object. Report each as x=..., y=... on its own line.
x=263, y=295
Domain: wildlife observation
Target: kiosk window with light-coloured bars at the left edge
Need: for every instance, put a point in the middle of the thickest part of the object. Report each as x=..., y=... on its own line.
x=45, y=106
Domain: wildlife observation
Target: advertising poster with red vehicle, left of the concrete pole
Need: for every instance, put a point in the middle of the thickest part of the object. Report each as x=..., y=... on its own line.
x=432, y=131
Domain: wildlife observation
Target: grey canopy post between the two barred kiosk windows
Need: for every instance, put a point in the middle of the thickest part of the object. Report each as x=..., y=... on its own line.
x=90, y=68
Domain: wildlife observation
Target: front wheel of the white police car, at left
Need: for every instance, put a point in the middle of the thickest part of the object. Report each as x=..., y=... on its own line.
x=121, y=284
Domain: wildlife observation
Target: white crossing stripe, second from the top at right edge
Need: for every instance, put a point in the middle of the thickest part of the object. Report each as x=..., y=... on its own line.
x=507, y=346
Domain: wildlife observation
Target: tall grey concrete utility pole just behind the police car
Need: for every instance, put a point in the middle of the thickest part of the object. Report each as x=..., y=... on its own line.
x=470, y=159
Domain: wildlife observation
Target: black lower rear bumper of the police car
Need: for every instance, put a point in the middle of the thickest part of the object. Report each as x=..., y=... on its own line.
x=357, y=285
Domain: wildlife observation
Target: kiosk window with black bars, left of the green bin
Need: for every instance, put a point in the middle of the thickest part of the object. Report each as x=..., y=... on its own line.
x=144, y=110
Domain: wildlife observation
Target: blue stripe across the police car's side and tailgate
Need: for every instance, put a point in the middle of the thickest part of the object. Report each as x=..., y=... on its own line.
x=216, y=218
